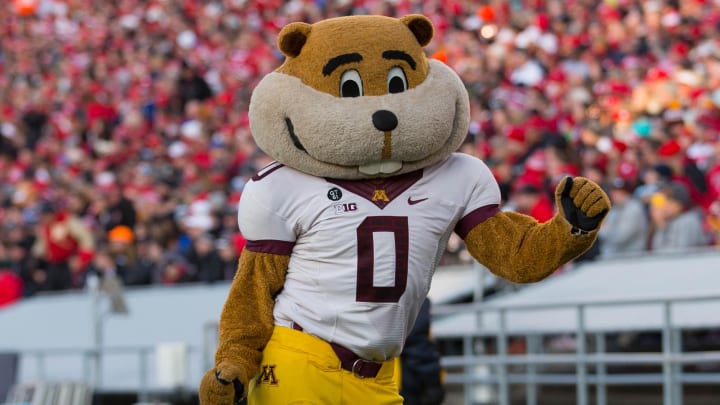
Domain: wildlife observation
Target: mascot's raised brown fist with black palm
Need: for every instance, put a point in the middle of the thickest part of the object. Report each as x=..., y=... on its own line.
x=582, y=202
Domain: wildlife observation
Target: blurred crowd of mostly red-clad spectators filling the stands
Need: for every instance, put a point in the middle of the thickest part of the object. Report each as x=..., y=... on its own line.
x=124, y=139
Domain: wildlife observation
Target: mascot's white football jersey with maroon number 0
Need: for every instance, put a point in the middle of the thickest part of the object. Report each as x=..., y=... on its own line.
x=362, y=253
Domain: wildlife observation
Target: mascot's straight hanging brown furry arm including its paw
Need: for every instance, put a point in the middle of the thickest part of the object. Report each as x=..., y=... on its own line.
x=246, y=324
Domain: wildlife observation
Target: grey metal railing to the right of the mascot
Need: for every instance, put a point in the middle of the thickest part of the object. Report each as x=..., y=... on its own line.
x=671, y=358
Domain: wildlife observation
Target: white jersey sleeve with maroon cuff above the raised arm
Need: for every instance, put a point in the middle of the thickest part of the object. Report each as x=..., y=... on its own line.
x=483, y=200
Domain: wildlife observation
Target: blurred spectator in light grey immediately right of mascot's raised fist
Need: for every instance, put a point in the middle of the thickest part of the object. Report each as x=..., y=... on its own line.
x=626, y=229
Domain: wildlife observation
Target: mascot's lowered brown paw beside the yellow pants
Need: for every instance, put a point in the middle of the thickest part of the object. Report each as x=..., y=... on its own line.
x=221, y=386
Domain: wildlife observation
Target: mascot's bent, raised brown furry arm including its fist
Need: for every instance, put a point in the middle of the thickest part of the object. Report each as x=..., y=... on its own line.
x=518, y=248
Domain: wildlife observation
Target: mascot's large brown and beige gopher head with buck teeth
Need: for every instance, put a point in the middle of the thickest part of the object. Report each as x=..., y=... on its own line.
x=357, y=98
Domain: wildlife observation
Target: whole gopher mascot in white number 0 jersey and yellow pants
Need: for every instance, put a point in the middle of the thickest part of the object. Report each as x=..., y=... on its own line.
x=346, y=227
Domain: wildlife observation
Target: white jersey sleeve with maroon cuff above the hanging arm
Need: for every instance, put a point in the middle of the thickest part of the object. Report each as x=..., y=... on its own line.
x=263, y=217
